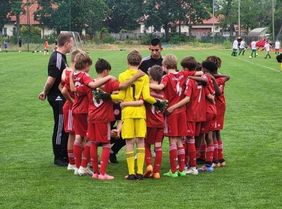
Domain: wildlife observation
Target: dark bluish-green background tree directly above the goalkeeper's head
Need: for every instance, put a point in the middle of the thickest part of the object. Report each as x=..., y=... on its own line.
x=123, y=14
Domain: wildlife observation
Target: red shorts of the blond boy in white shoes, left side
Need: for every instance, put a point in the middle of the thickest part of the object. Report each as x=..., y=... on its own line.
x=80, y=124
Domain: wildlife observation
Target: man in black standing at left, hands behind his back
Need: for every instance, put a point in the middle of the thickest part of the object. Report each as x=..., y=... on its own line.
x=57, y=63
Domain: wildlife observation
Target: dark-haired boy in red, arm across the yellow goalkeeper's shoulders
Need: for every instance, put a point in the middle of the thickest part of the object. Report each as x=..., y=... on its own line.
x=99, y=118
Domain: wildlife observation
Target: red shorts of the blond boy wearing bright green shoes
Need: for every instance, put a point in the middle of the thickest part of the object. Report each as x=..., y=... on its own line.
x=175, y=125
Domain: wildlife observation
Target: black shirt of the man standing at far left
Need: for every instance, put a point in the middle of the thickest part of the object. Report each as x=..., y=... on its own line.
x=57, y=63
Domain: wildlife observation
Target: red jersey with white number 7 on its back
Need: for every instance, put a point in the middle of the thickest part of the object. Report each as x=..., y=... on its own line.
x=196, y=108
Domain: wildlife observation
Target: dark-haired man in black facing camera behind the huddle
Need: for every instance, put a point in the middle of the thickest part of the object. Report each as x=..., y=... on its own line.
x=155, y=58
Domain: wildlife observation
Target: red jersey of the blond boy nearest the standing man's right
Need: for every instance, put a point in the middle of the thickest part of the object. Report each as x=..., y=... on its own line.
x=81, y=80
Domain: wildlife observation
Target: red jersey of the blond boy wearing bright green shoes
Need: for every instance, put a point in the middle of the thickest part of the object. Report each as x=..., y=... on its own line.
x=174, y=89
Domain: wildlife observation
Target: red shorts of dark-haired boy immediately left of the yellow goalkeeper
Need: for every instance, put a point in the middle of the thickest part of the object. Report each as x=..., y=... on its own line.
x=99, y=132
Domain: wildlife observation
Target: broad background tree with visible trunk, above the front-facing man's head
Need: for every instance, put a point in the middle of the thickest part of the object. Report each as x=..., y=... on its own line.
x=166, y=13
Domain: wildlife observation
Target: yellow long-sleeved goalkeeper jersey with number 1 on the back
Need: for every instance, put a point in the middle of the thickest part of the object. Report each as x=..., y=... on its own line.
x=138, y=90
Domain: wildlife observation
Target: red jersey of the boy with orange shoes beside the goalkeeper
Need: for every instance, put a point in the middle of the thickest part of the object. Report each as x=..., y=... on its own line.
x=155, y=118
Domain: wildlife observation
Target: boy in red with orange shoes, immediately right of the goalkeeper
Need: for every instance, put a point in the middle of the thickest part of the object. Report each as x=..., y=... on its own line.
x=155, y=121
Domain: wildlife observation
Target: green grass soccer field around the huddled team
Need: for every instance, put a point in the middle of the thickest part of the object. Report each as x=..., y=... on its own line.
x=252, y=144
